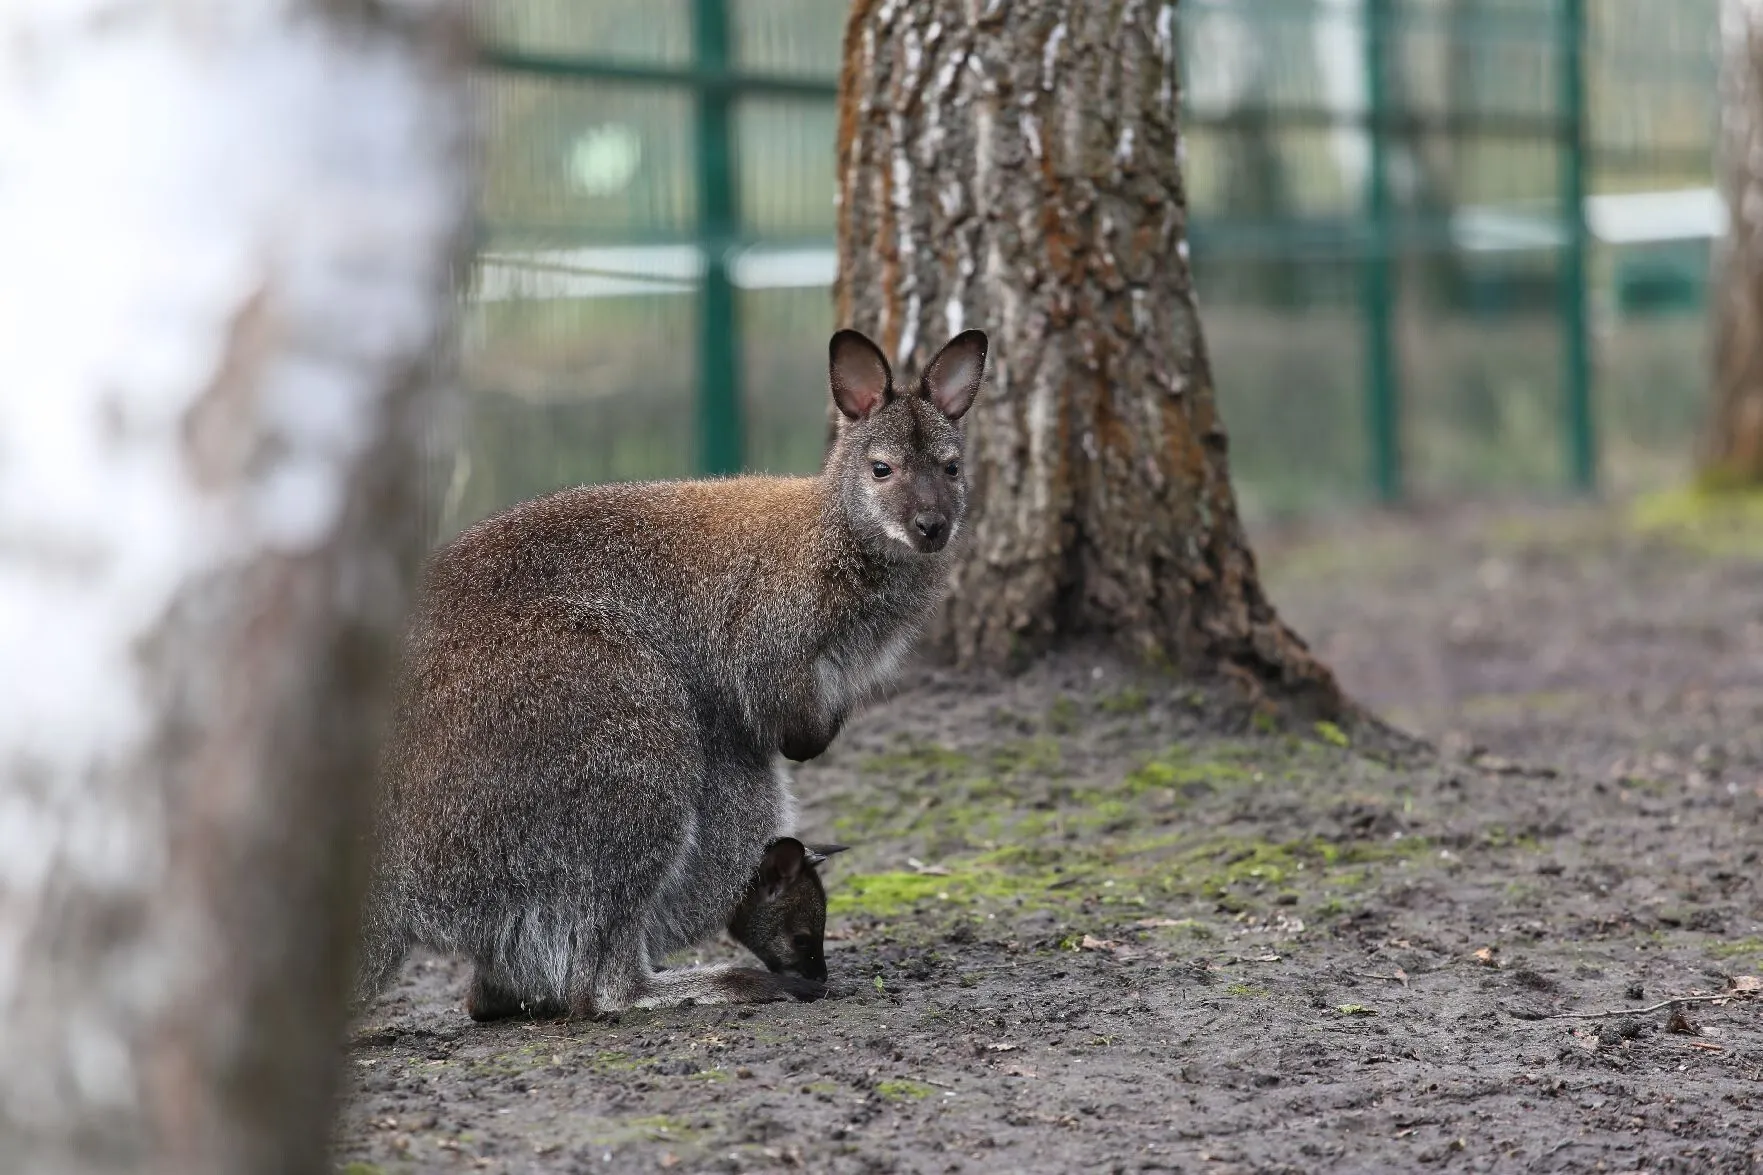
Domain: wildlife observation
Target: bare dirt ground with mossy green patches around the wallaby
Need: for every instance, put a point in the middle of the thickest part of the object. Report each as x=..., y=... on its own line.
x=1087, y=929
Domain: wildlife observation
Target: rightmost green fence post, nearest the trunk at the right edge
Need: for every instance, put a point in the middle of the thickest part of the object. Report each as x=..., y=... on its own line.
x=1577, y=401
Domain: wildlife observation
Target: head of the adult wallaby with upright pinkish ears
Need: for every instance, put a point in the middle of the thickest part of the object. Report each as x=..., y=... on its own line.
x=898, y=456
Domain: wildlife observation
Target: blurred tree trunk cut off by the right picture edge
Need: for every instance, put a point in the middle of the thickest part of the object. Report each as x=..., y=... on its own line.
x=1736, y=431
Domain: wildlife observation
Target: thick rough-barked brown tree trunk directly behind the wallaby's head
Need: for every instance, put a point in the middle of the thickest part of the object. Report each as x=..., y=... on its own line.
x=1016, y=167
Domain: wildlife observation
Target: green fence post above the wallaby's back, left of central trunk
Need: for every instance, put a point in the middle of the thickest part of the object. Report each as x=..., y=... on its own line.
x=720, y=433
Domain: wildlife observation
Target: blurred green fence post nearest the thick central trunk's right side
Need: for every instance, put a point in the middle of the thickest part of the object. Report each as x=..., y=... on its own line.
x=1378, y=278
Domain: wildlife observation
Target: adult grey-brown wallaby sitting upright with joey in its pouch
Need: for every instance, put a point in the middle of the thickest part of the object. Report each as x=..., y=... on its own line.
x=583, y=768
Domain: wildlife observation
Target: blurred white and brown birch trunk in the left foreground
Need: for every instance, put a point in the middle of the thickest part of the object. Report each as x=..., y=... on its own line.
x=228, y=230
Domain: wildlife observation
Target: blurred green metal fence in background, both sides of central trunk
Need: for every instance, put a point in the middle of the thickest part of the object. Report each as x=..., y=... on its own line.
x=1418, y=230
